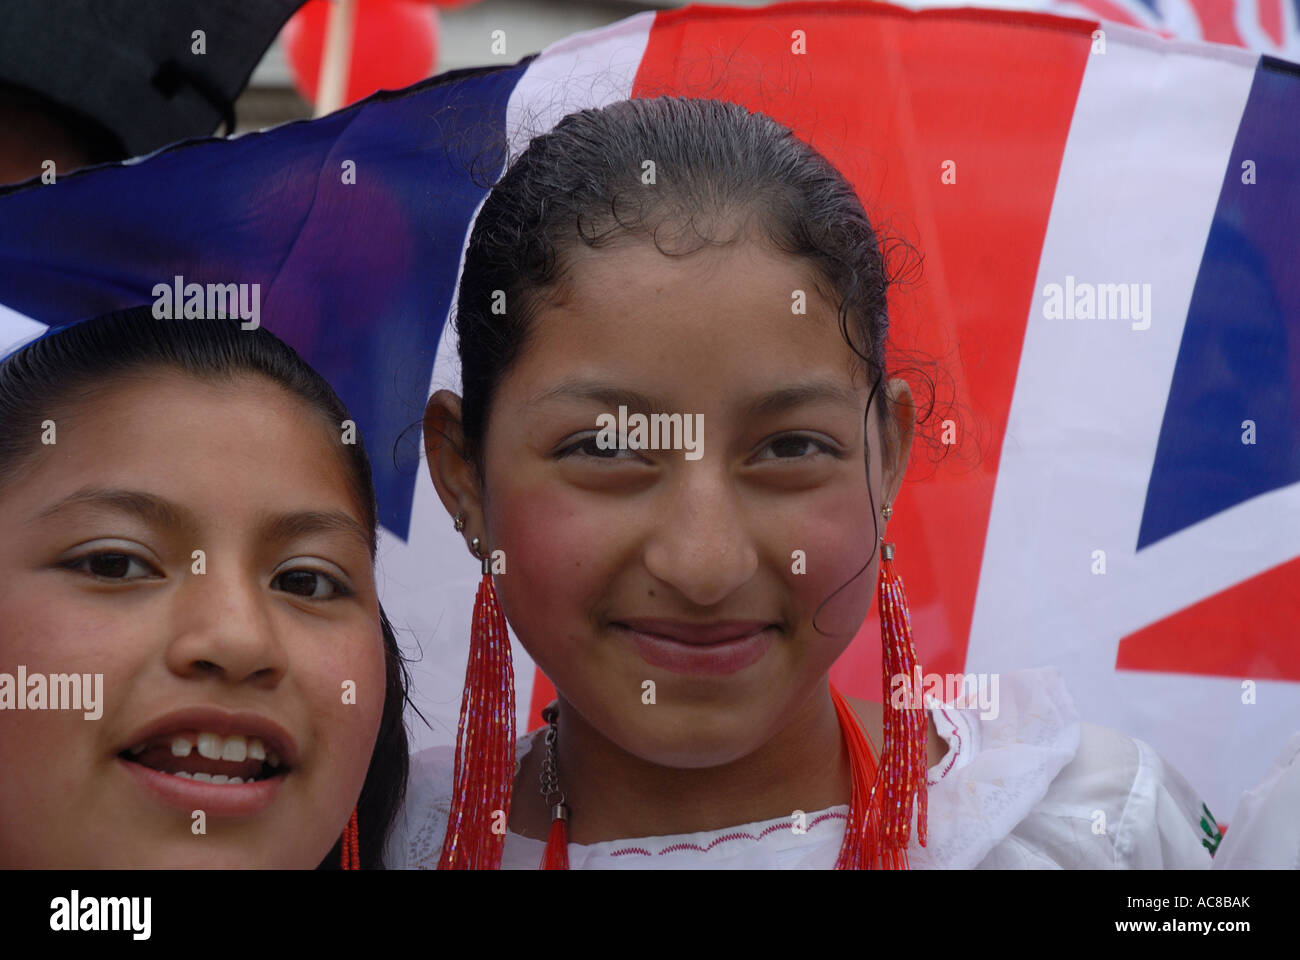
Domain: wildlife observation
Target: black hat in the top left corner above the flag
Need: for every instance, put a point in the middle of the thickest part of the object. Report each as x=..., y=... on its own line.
x=136, y=67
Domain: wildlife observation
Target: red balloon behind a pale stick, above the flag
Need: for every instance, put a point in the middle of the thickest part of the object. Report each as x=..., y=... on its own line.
x=395, y=45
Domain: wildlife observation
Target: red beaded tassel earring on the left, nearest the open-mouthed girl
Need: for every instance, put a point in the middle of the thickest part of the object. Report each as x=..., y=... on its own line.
x=486, y=740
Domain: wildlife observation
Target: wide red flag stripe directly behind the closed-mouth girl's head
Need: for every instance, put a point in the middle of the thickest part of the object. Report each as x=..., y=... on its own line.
x=890, y=96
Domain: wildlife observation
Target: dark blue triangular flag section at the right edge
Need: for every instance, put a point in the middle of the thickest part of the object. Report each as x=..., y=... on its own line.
x=1241, y=353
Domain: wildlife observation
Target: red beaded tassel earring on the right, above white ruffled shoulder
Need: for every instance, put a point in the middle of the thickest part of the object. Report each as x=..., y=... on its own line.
x=878, y=832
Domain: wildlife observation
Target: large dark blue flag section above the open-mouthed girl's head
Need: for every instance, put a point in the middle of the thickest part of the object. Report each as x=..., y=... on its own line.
x=358, y=278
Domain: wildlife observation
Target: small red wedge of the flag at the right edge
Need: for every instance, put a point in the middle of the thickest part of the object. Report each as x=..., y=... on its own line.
x=1212, y=637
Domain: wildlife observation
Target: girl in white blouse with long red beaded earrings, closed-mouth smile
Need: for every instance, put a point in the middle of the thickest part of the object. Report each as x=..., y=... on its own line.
x=664, y=595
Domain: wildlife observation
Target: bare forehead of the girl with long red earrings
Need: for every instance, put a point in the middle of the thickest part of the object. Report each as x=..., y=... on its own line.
x=717, y=318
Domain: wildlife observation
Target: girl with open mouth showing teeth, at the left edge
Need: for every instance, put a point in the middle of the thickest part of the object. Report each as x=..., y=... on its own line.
x=181, y=516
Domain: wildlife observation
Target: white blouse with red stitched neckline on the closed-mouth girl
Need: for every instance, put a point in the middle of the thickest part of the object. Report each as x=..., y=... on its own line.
x=1032, y=789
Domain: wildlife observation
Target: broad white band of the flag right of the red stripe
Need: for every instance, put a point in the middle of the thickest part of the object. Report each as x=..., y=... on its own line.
x=1139, y=183
